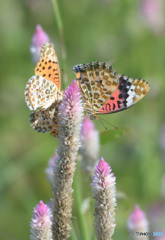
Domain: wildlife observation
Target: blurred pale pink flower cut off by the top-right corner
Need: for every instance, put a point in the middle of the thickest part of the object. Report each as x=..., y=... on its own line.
x=153, y=13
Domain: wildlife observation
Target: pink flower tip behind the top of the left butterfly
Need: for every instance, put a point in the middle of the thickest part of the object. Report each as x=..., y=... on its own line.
x=39, y=38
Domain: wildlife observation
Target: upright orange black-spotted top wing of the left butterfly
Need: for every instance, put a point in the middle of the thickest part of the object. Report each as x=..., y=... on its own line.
x=48, y=65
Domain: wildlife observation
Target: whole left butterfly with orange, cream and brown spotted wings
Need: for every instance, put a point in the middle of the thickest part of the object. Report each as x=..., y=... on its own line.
x=43, y=94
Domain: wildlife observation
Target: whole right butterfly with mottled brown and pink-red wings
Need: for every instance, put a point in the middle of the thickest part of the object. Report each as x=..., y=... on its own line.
x=104, y=91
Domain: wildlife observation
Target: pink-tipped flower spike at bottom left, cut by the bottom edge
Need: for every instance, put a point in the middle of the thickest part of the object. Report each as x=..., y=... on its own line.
x=41, y=223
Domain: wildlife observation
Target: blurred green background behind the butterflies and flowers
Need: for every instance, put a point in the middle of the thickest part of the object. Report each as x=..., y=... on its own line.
x=118, y=33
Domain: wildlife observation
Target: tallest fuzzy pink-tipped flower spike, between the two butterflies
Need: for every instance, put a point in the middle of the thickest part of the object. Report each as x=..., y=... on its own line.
x=70, y=120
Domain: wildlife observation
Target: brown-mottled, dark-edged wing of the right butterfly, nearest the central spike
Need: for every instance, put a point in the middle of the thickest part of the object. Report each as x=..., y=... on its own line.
x=97, y=82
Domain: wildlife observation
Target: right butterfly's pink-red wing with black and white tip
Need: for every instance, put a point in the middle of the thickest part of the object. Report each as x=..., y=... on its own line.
x=128, y=92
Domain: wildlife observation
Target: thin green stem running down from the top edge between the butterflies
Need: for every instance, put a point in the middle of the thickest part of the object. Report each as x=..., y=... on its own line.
x=62, y=40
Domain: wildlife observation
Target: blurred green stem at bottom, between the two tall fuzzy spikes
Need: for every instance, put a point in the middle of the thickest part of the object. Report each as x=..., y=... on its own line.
x=77, y=199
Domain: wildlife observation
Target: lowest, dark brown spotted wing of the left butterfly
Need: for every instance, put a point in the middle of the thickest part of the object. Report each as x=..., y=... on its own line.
x=46, y=120
